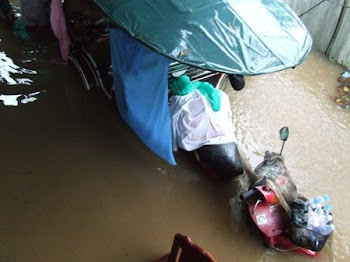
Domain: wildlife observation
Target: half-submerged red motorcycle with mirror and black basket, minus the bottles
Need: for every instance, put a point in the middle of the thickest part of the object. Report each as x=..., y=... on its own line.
x=280, y=228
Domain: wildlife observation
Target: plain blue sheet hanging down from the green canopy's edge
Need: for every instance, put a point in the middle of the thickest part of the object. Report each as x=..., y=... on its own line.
x=141, y=87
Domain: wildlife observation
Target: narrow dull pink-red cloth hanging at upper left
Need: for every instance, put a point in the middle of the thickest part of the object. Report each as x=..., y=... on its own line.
x=58, y=25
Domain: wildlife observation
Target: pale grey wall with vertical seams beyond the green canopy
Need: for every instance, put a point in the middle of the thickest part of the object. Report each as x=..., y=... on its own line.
x=329, y=25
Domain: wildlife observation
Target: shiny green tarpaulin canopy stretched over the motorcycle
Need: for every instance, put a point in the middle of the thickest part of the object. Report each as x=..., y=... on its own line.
x=245, y=37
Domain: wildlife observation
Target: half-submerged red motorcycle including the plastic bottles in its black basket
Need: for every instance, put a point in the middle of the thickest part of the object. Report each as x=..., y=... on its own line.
x=289, y=226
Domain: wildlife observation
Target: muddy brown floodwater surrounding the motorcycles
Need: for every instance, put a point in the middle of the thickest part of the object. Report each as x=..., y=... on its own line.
x=78, y=185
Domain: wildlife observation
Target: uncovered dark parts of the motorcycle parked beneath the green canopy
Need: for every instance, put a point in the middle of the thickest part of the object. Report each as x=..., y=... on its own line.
x=90, y=38
